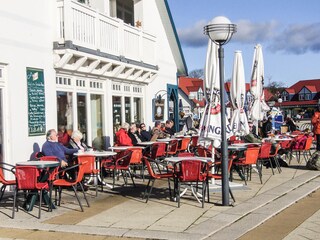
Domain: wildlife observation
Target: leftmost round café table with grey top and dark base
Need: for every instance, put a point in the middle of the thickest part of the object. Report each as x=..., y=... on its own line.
x=31, y=199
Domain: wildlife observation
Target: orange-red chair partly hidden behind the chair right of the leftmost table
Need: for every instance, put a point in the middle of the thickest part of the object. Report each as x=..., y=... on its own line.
x=90, y=168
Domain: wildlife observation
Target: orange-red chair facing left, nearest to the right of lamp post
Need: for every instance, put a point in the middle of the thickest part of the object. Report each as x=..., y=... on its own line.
x=245, y=163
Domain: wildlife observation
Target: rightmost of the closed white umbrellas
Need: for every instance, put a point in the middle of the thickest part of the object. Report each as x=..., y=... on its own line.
x=259, y=107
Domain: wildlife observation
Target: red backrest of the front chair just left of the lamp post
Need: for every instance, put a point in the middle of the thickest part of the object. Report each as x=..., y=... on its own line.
x=191, y=170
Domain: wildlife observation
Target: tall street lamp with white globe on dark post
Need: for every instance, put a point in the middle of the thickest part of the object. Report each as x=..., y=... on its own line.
x=220, y=31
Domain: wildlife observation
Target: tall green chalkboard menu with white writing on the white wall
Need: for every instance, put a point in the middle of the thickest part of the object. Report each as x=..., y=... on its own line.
x=36, y=102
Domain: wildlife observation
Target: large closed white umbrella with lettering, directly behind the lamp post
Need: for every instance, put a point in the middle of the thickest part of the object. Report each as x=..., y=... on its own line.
x=210, y=124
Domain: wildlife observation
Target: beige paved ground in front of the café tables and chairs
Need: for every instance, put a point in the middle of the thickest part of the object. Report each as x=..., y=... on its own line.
x=122, y=212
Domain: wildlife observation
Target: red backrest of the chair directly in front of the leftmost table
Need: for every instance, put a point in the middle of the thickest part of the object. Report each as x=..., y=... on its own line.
x=26, y=177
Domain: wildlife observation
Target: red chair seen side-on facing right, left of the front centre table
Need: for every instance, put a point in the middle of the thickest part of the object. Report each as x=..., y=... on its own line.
x=155, y=174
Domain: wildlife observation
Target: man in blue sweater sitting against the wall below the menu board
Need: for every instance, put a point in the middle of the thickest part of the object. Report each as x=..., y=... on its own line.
x=53, y=148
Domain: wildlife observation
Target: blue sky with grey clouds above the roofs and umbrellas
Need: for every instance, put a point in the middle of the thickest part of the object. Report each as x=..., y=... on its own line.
x=288, y=30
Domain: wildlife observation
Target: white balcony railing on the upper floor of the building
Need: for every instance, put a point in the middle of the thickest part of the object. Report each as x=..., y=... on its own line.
x=88, y=28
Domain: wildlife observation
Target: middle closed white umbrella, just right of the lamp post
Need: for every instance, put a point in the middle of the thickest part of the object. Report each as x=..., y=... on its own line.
x=239, y=121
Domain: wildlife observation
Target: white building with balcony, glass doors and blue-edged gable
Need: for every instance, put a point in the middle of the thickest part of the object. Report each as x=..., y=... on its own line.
x=89, y=65
